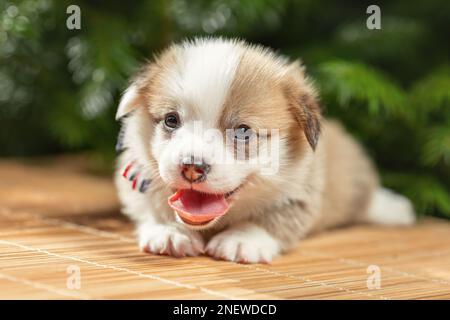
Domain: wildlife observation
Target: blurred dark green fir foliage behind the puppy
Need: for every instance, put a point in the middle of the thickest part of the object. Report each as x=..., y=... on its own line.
x=59, y=88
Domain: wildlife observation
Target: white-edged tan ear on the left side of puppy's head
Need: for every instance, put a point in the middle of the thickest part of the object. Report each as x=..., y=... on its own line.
x=134, y=95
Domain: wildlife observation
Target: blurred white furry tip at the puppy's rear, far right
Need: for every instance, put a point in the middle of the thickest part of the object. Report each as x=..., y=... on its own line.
x=390, y=208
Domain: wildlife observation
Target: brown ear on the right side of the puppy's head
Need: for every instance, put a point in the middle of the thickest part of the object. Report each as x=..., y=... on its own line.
x=303, y=102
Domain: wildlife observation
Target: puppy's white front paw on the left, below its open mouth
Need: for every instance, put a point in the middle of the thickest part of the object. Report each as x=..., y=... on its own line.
x=169, y=240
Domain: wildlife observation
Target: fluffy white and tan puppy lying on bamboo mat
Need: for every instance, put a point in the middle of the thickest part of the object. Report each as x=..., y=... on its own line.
x=225, y=152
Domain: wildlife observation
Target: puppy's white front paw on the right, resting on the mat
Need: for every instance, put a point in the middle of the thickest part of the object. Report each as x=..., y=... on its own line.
x=245, y=244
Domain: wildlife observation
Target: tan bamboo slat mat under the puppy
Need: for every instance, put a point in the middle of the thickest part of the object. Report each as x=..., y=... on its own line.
x=57, y=217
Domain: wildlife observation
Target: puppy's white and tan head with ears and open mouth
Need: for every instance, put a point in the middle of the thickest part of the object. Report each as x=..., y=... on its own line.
x=223, y=114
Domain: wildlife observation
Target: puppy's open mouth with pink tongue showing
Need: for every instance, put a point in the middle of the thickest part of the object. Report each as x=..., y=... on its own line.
x=196, y=207
